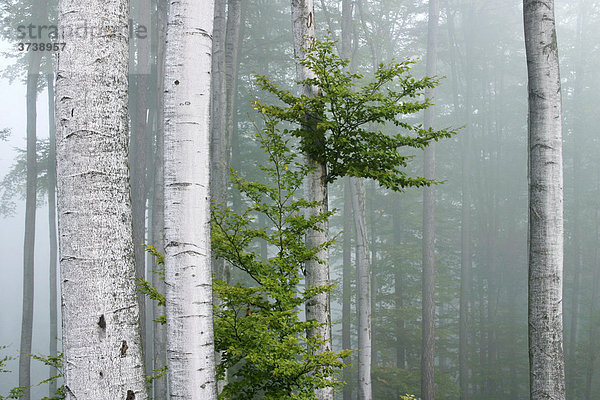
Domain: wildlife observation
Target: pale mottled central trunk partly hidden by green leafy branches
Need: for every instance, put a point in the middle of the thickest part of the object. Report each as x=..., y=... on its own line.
x=317, y=273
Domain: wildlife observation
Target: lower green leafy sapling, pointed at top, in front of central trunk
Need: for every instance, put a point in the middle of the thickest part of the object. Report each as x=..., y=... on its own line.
x=257, y=328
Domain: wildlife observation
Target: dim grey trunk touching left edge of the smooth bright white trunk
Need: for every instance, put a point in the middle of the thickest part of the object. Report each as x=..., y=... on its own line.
x=157, y=215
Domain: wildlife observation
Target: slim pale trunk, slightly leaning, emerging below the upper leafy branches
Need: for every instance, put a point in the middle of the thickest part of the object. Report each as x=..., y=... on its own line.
x=363, y=279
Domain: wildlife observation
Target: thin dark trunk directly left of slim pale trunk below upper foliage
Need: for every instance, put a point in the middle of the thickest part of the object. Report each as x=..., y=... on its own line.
x=346, y=287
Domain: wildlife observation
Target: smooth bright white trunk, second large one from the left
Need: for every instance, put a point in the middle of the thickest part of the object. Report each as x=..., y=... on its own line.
x=190, y=344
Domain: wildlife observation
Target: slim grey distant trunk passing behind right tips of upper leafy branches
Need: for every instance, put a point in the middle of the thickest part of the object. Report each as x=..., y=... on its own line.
x=428, y=302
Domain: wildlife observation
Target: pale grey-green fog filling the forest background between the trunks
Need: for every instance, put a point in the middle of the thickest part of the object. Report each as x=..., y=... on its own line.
x=482, y=94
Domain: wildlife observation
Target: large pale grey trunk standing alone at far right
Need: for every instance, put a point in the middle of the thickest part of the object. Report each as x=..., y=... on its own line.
x=546, y=359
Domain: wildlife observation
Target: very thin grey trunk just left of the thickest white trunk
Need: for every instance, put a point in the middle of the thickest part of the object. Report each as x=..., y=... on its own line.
x=52, y=229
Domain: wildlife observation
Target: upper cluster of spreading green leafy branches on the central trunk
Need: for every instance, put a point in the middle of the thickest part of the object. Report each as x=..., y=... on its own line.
x=335, y=128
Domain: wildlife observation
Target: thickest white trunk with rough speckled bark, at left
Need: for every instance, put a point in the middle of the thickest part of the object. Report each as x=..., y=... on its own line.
x=101, y=332
